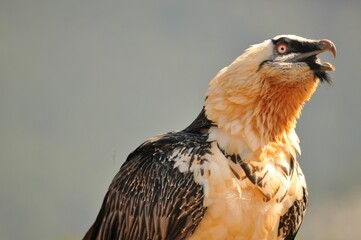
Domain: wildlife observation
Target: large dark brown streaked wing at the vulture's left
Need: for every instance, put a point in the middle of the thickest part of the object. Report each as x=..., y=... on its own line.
x=149, y=198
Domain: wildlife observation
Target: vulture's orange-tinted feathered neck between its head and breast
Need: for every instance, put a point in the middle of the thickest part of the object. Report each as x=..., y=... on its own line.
x=256, y=112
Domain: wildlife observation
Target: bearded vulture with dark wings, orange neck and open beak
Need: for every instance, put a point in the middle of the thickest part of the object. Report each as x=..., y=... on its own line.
x=233, y=172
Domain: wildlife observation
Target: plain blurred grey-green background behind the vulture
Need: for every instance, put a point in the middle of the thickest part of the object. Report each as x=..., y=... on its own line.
x=83, y=83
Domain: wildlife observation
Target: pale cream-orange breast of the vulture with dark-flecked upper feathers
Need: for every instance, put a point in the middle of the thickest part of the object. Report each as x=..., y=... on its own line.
x=243, y=204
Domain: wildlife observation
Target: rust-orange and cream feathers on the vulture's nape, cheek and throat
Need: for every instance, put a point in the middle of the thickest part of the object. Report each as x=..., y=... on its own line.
x=259, y=106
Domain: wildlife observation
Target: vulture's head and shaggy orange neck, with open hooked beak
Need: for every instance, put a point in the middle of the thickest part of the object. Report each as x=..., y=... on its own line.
x=259, y=96
